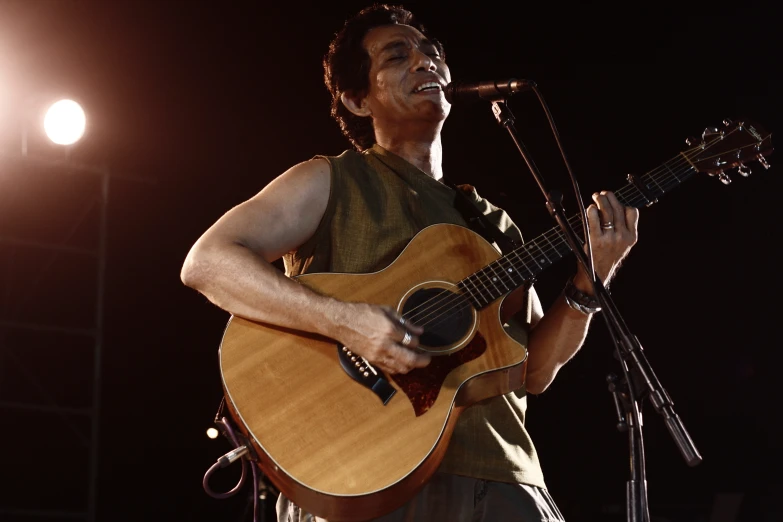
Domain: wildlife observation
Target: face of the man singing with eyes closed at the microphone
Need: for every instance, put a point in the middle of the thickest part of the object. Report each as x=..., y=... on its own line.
x=407, y=76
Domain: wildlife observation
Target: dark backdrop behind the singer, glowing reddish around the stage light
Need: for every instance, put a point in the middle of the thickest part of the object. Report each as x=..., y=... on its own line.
x=195, y=106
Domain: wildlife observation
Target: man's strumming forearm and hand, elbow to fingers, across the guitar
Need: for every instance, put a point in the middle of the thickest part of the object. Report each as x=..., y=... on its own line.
x=244, y=284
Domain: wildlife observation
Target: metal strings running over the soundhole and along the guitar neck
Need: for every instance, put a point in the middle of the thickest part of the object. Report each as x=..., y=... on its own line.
x=434, y=311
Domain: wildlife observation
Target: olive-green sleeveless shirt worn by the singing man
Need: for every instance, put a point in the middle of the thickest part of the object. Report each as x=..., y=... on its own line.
x=377, y=203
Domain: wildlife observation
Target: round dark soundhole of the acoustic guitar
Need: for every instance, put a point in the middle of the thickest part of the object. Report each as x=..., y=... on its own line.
x=446, y=316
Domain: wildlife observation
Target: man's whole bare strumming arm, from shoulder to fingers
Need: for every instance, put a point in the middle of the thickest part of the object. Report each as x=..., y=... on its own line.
x=231, y=265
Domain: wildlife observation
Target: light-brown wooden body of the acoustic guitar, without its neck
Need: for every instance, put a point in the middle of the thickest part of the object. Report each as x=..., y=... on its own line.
x=330, y=443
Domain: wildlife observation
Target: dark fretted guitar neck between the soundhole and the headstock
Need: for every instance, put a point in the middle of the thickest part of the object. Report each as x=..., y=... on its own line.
x=523, y=265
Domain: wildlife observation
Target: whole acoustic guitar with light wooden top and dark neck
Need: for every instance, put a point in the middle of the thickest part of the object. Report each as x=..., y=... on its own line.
x=345, y=441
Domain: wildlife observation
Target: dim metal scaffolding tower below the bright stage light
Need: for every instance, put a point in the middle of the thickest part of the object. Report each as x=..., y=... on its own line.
x=27, y=499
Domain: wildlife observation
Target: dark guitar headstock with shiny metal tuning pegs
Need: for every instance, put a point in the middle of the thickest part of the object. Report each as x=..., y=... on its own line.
x=732, y=146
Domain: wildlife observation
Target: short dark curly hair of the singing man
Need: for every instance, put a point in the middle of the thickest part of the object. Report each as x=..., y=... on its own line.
x=347, y=66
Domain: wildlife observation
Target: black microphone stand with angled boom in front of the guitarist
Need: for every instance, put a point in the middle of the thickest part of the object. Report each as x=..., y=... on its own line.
x=639, y=378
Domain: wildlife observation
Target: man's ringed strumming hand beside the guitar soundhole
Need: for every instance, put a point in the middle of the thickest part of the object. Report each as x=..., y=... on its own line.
x=377, y=333
